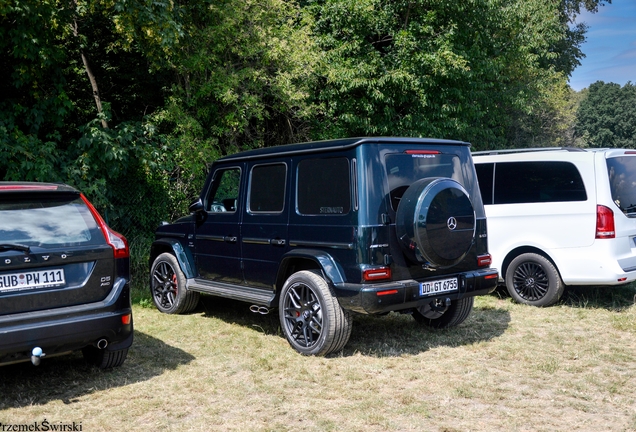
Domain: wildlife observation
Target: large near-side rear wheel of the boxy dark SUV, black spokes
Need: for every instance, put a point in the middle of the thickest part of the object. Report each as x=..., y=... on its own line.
x=312, y=320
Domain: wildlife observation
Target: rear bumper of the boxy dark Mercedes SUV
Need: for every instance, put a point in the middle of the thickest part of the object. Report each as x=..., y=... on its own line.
x=405, y=294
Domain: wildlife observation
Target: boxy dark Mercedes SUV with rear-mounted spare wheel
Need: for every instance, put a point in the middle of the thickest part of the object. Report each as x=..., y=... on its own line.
x=325, y=229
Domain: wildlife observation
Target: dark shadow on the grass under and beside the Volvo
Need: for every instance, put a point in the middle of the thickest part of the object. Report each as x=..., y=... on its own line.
x=69, y=377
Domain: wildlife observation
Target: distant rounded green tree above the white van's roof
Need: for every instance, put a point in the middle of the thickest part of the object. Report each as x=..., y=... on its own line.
x=607, y=116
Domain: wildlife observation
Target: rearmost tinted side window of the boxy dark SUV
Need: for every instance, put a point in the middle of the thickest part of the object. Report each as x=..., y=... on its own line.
x=323, y=186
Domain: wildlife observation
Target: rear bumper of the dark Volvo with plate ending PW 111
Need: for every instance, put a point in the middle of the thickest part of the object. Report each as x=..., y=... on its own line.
x=67, y=329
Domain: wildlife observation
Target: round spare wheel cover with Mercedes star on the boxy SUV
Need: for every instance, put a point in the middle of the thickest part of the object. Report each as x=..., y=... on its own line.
x=436, y=222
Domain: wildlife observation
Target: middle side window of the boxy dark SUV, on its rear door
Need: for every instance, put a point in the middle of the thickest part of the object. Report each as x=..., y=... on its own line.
x=267, y=188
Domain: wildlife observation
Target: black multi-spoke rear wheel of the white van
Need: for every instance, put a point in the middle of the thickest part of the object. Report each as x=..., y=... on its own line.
x=532, y=279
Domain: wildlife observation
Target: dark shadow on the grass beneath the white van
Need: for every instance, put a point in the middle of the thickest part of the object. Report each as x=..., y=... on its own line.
x=611, y=298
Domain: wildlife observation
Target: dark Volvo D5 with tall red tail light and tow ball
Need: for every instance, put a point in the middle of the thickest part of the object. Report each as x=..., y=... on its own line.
x=64, y=278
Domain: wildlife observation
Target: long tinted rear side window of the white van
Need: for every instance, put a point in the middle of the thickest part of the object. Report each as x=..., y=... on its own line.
x=533, y=182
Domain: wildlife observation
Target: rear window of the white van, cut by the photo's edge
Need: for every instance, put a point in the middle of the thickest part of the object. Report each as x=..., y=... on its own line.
x=622, y=178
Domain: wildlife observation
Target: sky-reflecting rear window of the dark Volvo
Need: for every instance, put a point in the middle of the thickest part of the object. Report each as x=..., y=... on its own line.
x=50, y=221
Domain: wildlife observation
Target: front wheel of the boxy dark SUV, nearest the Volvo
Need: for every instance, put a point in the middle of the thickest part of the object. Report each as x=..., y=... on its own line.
x=168, y=286
